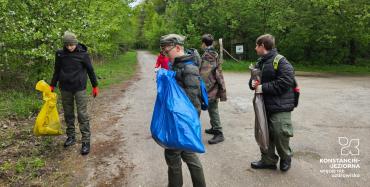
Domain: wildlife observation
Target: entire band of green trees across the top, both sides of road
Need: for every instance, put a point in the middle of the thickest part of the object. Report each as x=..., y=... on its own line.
x=307, y=31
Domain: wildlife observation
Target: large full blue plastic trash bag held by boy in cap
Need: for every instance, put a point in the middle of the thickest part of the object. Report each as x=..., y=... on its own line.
x=175, y=121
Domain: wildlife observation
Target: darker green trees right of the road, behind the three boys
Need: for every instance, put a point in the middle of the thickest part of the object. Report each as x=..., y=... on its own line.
x=326, y=31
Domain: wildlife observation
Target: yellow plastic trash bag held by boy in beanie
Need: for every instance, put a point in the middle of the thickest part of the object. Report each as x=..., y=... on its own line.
x=47, y=121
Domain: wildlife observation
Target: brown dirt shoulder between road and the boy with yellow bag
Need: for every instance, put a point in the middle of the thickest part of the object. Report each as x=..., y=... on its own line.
x=82, y=170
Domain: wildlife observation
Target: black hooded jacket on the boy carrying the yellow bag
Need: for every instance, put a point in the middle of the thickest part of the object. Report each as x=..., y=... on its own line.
x=71, y=69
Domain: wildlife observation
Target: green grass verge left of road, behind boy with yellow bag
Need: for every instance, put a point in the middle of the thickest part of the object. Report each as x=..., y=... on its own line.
x=22, y=104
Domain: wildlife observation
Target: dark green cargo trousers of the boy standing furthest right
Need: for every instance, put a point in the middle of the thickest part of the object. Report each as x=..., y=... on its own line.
x=280, y=131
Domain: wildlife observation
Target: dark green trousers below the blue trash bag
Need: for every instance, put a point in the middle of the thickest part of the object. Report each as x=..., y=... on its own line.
x=173, y=160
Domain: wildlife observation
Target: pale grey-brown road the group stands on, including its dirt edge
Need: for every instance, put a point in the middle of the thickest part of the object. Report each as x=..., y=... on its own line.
x=124, y=154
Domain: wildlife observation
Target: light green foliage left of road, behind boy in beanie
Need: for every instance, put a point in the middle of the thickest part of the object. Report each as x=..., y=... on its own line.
x=31, y=31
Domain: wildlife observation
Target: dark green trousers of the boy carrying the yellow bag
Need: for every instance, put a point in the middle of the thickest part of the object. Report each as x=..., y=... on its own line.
x=68, y=101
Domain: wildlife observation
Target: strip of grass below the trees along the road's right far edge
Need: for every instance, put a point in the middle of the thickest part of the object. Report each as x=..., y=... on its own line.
x=362, y=68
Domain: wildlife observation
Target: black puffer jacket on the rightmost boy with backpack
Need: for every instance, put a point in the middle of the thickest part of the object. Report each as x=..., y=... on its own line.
x=277, y=85
